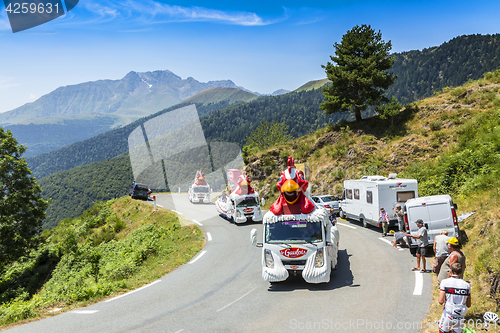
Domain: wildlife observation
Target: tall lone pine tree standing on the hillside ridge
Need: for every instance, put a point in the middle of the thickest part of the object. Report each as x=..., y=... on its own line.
x=358, y=72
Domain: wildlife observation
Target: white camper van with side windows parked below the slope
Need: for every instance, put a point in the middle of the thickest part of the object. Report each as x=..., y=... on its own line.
x=364, y=197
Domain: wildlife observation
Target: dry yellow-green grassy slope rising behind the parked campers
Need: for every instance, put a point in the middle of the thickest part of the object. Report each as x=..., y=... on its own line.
x=450, y=143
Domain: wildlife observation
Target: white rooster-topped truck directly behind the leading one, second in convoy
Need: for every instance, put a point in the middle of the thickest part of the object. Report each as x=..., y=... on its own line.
x=242, y=204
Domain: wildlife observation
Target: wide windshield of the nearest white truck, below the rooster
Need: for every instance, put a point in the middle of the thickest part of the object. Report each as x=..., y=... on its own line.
x=293, y=232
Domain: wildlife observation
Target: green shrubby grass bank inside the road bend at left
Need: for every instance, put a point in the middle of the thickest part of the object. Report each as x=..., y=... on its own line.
x=113, y=247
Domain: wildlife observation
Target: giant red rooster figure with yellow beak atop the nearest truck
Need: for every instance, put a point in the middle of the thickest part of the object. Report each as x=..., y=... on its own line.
x=292, y=187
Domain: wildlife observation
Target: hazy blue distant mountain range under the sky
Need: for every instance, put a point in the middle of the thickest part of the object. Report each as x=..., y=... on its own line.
x=77, y=112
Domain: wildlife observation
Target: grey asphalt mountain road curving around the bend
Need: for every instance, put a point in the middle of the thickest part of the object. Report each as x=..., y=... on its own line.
x=221, y=289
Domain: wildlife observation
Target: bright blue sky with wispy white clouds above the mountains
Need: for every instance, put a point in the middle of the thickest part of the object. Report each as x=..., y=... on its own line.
x=260, y=45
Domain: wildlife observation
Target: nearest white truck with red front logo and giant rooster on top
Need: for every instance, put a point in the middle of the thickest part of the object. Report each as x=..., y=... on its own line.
x=298, y=237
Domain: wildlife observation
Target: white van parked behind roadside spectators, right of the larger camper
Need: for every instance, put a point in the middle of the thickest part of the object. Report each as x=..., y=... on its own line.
x=437, y=211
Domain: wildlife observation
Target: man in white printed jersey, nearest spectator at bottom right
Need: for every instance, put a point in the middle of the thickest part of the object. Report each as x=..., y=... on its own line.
x=455, y=298
